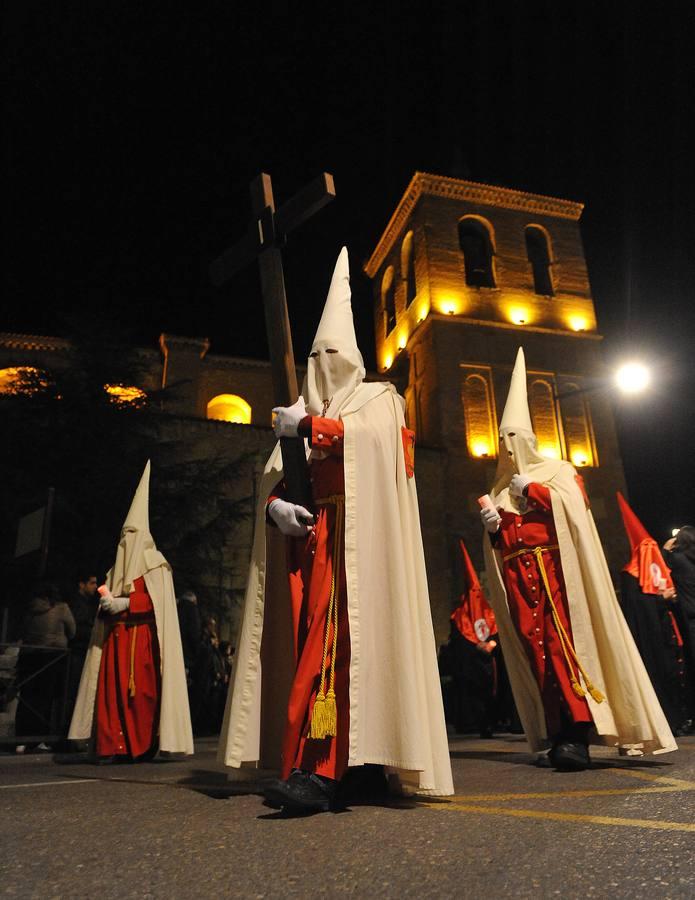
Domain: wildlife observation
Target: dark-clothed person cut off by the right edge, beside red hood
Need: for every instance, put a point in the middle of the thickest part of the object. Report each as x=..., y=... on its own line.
x=680, y=556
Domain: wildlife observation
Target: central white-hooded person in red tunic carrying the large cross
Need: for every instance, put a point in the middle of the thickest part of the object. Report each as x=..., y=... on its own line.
x=336, y=665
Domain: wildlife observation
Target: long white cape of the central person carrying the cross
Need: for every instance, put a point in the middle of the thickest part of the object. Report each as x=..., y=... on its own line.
x=396, y=710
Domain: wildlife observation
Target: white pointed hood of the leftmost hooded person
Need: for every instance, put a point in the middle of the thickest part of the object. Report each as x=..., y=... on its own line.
x=136, y=553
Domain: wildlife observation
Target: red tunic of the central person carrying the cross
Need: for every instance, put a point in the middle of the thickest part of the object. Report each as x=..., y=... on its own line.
x=311, y=570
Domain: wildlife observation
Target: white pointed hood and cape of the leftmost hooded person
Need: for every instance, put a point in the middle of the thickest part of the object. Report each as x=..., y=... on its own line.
x=137, y=558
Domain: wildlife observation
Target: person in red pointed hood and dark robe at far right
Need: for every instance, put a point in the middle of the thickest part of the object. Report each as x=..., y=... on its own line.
x=644, y=581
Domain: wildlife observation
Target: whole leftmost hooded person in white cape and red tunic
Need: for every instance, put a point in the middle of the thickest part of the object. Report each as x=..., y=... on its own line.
x=133, y=696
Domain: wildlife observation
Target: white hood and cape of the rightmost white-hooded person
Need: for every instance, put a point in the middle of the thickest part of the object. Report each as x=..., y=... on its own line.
x=612, y=677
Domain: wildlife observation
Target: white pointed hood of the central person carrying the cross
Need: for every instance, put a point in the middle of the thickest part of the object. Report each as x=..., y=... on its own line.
x=335, y=368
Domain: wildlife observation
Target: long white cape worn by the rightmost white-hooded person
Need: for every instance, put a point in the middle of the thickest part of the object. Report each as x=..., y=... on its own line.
x=631, y=715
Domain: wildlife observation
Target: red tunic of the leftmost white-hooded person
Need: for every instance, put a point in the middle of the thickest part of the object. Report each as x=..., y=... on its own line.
x=129, y=686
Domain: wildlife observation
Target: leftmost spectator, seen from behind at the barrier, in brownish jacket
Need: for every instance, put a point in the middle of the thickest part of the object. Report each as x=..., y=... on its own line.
x=47, y=628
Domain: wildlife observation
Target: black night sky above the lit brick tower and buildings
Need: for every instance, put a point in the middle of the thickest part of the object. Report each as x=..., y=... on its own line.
x=131, y=134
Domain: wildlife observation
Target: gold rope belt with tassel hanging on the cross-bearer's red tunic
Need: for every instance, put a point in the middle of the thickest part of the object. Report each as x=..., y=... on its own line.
x=324, y=716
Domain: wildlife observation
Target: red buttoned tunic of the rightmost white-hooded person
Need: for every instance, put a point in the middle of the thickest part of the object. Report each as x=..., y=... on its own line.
x=532, y=613
